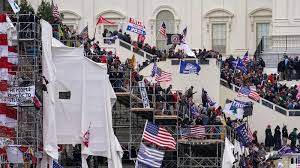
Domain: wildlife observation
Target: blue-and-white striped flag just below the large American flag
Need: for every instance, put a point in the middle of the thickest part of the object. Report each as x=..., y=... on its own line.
x=148, y=157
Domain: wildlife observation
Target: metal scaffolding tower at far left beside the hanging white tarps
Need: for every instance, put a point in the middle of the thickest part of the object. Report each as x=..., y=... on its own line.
x=28, y=72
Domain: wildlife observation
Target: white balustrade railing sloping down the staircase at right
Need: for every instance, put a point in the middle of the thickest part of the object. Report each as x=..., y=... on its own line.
x=267, y=103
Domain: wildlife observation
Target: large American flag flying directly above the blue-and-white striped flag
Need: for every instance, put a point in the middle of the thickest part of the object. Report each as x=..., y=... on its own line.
x=158, y=136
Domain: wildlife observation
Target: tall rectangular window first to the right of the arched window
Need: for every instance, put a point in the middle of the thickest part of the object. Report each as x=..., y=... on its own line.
x=219, y=37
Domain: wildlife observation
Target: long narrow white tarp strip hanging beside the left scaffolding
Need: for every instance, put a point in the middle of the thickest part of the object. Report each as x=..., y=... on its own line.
x=49, y=71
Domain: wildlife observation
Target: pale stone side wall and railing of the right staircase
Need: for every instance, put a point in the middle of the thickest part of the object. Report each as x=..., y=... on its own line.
x=264, y=111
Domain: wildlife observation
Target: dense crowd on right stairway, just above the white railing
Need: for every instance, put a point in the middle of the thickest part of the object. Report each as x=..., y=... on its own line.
x=267, y=86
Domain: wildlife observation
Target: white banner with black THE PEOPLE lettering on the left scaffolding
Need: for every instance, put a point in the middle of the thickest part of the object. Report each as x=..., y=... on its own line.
x=18, y=95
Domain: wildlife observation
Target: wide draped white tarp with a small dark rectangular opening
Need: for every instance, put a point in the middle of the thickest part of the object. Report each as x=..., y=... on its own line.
x=90, y=103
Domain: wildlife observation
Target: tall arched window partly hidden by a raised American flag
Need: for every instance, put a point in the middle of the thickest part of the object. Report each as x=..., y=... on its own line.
x=167, y=17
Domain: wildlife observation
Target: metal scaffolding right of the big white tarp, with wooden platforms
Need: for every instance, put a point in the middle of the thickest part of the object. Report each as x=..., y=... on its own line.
x=130, y=114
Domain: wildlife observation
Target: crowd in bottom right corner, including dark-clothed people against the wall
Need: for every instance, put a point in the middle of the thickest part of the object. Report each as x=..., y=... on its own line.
x=255, y=155
